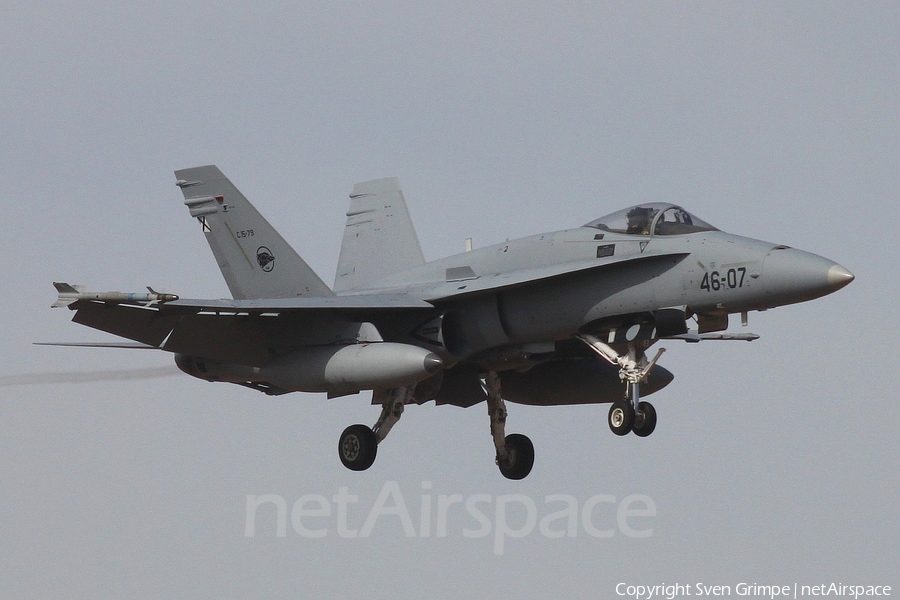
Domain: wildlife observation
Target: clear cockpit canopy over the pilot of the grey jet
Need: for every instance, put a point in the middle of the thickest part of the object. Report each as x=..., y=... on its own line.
x=659, y=218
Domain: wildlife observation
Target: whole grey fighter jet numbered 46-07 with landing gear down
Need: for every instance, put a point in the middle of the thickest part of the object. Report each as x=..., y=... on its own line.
x=558, y=318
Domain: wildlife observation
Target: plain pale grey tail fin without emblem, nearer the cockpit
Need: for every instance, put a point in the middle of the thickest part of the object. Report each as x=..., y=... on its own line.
x=379, y=238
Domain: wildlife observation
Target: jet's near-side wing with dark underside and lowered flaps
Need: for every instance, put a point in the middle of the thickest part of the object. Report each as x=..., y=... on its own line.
x=252, y=332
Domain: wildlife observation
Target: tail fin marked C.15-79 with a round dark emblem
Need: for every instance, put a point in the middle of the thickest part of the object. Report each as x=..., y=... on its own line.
x=255, y=260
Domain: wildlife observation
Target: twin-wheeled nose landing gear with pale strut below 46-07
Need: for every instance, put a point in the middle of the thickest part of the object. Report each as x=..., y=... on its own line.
x=631, y=415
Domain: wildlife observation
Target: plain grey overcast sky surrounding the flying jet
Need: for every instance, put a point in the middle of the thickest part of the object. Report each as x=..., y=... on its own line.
x=774, y=462
